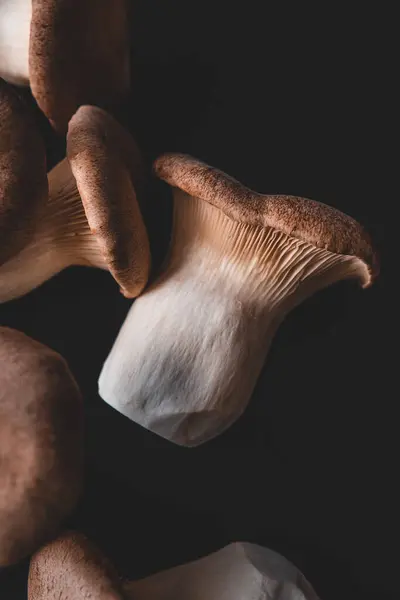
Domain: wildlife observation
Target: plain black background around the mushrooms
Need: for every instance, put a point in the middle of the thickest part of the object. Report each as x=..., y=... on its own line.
x=285, y=103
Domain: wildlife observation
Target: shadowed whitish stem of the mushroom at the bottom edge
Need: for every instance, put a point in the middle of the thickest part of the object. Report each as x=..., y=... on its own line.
x=240, y=571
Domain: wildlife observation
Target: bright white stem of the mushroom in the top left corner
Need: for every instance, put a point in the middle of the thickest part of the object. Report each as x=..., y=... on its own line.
x=15, y=22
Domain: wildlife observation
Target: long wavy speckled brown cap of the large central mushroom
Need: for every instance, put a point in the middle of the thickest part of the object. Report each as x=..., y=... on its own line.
x=314, y=222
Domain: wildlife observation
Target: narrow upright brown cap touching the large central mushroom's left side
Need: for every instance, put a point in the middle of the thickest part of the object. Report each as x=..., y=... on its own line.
x=105, y=162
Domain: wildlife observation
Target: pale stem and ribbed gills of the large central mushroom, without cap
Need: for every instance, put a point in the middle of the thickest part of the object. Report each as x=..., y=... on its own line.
x=187, y=358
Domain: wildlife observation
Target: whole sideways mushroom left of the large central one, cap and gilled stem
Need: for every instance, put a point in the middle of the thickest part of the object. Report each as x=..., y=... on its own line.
x=91, y=217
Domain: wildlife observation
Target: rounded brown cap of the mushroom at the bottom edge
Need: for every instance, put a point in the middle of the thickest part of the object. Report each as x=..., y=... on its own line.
x=72, y=568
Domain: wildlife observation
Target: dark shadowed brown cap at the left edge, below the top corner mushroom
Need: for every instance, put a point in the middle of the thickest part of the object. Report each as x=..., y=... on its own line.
x=23, y=180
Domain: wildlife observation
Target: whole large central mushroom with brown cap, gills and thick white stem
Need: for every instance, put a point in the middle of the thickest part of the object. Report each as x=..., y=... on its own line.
x=189, y=353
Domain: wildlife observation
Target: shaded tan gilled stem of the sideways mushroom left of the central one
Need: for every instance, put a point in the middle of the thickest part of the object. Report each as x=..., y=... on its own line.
x=62, y=238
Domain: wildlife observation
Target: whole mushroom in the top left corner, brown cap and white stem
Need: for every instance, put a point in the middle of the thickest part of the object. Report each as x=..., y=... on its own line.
x=69, y=52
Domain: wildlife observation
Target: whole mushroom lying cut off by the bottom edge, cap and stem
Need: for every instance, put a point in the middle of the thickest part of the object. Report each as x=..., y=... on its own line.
x=72, y=568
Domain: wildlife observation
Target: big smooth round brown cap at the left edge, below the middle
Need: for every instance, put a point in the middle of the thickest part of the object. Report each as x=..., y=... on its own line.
x=41, y=444
